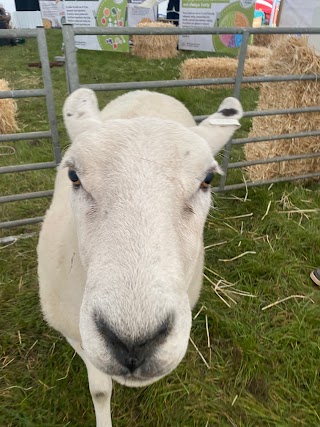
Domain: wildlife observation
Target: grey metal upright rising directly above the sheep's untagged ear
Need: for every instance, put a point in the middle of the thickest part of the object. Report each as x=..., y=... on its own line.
x=72, y=72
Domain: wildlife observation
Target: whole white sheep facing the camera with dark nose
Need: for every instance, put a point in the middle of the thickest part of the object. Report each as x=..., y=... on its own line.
x=121, y=247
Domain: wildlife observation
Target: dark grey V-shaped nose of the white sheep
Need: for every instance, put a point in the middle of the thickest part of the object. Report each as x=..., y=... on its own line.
x=133, y=354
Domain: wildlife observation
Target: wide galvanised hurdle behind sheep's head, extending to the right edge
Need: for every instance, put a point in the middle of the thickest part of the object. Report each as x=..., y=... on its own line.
x=70, y=32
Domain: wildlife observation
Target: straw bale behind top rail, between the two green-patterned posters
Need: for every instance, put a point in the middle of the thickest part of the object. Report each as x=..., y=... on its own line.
x=155, y=47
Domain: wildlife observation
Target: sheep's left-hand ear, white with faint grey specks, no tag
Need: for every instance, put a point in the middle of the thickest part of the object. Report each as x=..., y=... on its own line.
x=81, y=112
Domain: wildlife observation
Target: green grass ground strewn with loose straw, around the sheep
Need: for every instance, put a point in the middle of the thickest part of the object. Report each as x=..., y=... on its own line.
x=258, y=337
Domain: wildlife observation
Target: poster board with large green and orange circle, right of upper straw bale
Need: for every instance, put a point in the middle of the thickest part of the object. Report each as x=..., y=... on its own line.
x=214, y=13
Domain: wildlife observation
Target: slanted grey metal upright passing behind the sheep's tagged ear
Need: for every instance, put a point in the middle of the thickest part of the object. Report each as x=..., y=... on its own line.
x=236, y=94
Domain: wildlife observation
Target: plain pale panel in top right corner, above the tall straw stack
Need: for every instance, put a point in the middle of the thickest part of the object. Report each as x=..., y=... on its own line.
x=301, y=13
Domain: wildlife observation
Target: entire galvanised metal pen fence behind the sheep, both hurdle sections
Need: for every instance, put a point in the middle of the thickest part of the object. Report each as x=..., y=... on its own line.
x=69, y=33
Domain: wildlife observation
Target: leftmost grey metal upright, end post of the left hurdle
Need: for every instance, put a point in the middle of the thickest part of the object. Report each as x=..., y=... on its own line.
x=46, y=76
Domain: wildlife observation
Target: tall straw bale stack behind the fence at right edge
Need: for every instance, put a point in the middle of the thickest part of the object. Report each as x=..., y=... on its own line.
x=291, y=55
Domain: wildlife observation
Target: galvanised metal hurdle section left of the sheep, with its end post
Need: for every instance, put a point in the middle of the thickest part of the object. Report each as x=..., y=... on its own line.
x=52, y=133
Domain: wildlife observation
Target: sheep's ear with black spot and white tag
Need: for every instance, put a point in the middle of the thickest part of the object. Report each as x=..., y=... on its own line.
x=218, y=128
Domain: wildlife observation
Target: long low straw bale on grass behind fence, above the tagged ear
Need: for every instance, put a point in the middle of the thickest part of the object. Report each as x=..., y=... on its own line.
x=207, y=68
